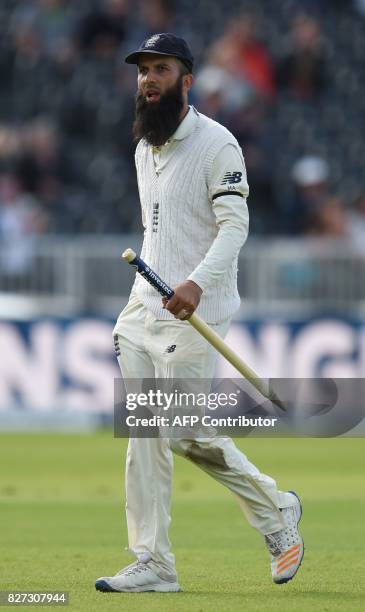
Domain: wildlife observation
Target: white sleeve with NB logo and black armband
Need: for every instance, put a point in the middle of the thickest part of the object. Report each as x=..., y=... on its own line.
x=228, y=190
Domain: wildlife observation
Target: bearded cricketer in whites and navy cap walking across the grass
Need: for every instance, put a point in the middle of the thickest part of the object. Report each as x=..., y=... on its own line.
x=193, y=188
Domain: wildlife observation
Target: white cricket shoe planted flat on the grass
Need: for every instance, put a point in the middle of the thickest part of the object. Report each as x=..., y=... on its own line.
x=137, y=578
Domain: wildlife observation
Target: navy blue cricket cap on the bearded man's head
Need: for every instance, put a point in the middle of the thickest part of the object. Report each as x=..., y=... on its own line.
x=164, y=44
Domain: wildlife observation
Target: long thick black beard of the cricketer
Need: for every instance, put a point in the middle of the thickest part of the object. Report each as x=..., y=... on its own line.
x=157, y=121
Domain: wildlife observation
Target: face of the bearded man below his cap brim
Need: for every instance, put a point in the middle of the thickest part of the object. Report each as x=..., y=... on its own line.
x=156, y=75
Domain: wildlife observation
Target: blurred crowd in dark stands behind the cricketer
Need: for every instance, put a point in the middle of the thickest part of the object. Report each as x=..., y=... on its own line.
x=286, y=81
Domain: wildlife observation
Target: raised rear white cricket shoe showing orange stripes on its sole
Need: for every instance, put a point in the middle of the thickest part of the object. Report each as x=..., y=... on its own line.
x=286, y=546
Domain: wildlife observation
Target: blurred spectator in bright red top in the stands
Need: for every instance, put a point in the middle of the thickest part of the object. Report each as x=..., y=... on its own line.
x=240, y=53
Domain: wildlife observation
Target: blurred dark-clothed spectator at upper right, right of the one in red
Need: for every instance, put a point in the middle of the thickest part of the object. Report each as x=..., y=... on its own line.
x=303, y=69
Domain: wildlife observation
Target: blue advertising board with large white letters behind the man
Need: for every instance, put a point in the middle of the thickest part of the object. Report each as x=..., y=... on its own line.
x=54, y=364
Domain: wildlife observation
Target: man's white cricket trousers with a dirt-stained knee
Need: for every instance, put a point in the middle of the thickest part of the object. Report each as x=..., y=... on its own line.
x=142, y=341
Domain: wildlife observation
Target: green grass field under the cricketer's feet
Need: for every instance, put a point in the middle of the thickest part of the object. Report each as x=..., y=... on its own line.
x=62, y=526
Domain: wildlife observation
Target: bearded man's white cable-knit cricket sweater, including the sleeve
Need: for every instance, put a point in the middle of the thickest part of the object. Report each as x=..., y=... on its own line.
x=193, y=197
